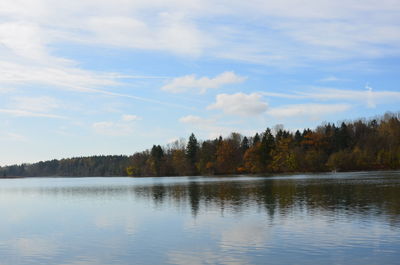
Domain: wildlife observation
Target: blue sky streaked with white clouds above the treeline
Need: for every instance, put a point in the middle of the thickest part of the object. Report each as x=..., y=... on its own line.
x=91, y=77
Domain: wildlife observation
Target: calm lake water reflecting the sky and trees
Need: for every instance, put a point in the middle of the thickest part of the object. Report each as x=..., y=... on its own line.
x=346, y=218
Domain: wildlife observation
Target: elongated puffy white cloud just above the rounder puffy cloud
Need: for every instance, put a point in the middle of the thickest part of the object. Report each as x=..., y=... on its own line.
x=187, y=82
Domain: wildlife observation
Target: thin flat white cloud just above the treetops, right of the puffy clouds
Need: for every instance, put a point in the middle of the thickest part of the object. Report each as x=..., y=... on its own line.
x=311, y=109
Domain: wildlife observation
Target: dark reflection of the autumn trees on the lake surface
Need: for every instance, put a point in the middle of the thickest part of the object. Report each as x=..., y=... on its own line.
x=328, y=194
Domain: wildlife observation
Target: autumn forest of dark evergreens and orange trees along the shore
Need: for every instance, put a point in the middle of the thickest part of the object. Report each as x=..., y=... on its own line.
x=372, y=144
